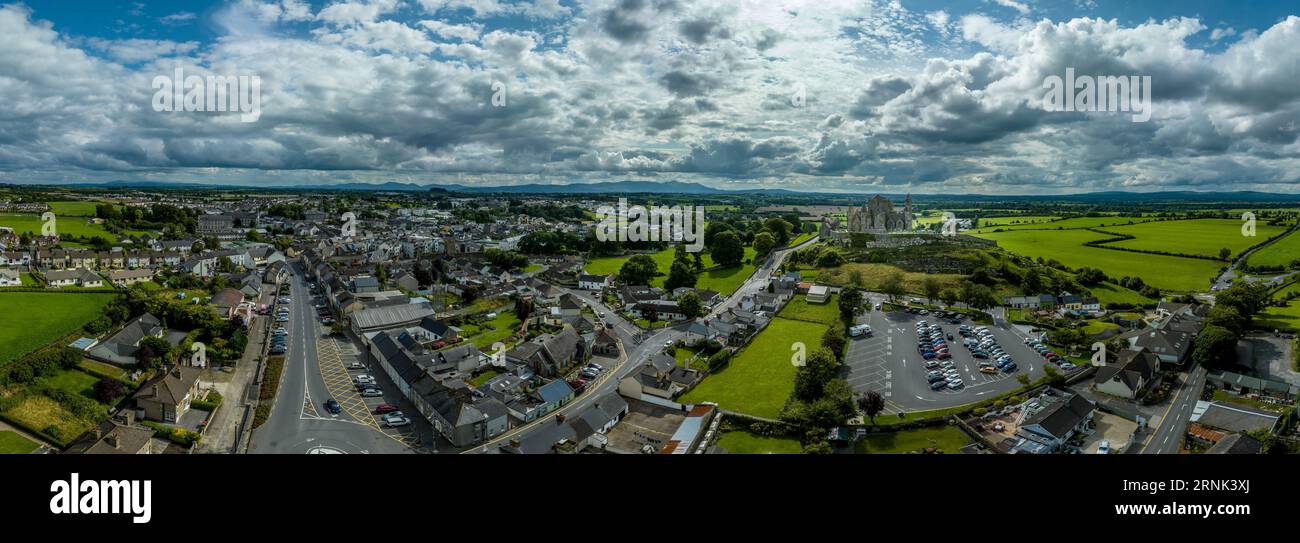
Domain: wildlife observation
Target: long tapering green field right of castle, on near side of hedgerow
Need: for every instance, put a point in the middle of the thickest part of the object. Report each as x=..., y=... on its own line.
x=1068, y=247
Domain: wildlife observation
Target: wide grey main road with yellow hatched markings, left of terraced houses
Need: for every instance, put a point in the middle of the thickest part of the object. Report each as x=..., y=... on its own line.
x=300, y=423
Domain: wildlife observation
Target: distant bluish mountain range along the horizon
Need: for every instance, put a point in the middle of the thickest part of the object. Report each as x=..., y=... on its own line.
x=694, y=189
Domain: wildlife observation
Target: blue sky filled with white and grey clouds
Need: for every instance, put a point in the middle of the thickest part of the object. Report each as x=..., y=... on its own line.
x=809, y=95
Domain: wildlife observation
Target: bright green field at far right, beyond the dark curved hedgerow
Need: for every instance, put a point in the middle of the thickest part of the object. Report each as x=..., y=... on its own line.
x=1198, y=237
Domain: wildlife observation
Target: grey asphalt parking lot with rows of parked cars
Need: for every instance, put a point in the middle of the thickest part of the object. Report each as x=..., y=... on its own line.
x=890, y=363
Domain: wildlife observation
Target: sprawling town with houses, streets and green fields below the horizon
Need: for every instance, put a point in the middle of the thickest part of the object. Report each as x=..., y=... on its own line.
x=159, y=322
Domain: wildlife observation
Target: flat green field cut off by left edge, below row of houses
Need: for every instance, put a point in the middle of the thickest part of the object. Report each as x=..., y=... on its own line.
x=32, y=320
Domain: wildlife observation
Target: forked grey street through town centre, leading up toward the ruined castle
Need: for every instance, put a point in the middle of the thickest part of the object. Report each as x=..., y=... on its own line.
x=634, y=359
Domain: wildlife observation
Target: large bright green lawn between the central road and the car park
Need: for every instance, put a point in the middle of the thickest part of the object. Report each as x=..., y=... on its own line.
x=761, y=379
